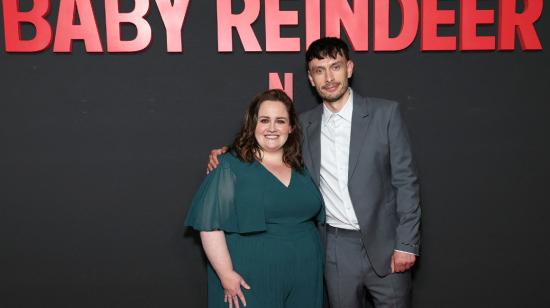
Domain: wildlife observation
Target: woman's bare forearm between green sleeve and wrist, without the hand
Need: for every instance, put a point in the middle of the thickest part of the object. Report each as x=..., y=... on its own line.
x=215, y=247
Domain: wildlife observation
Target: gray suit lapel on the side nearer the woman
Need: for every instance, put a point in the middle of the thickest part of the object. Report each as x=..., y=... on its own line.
x=313, y=132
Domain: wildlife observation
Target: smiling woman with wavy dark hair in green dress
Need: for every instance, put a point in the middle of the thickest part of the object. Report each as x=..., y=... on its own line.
x=257, y=213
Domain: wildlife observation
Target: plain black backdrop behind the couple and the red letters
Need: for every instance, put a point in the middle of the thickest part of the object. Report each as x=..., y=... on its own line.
x=101, y=154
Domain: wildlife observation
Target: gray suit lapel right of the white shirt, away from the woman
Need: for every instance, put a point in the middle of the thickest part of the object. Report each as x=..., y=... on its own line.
x=359, y=125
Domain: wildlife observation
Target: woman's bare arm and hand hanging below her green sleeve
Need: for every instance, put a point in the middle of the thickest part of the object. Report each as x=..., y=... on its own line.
x=217, y=253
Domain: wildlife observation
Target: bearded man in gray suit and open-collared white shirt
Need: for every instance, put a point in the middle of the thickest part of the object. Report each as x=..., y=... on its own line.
x=358, y=153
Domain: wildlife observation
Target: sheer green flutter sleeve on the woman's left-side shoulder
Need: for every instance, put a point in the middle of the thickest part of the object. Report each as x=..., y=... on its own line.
x=213, y=206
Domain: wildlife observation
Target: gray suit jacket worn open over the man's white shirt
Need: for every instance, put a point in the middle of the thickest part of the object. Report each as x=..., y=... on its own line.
x=382, y=180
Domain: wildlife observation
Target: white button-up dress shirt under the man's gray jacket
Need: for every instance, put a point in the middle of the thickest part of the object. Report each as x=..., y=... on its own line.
x=335, y=142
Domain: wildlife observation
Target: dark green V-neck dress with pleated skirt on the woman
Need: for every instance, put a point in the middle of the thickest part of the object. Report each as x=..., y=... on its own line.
x=270, y=230
